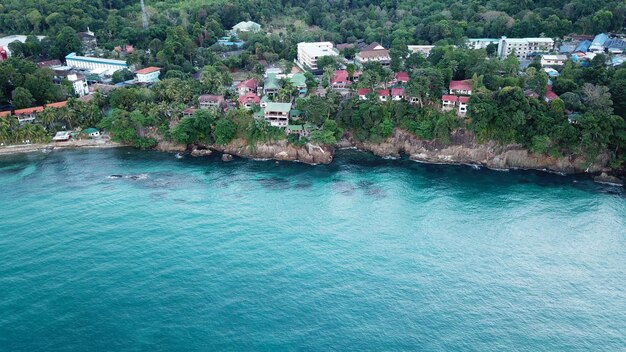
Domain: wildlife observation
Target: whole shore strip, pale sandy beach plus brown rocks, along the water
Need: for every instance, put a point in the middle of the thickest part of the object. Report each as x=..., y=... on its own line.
x=490, y=155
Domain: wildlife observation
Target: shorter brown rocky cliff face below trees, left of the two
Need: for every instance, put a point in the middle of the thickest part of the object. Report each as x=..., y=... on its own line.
x=280, y=150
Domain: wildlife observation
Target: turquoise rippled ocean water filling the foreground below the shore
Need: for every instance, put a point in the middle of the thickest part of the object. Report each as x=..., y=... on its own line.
x=365, y=255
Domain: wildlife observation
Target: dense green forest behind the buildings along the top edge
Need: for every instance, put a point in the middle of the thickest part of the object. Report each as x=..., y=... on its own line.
x=410, y=21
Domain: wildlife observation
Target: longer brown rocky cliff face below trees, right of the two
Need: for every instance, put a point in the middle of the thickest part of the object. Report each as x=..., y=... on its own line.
x=463, y=149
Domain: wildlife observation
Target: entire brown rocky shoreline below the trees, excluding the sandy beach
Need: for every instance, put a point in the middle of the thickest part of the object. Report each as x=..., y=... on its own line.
x=462, y=149
